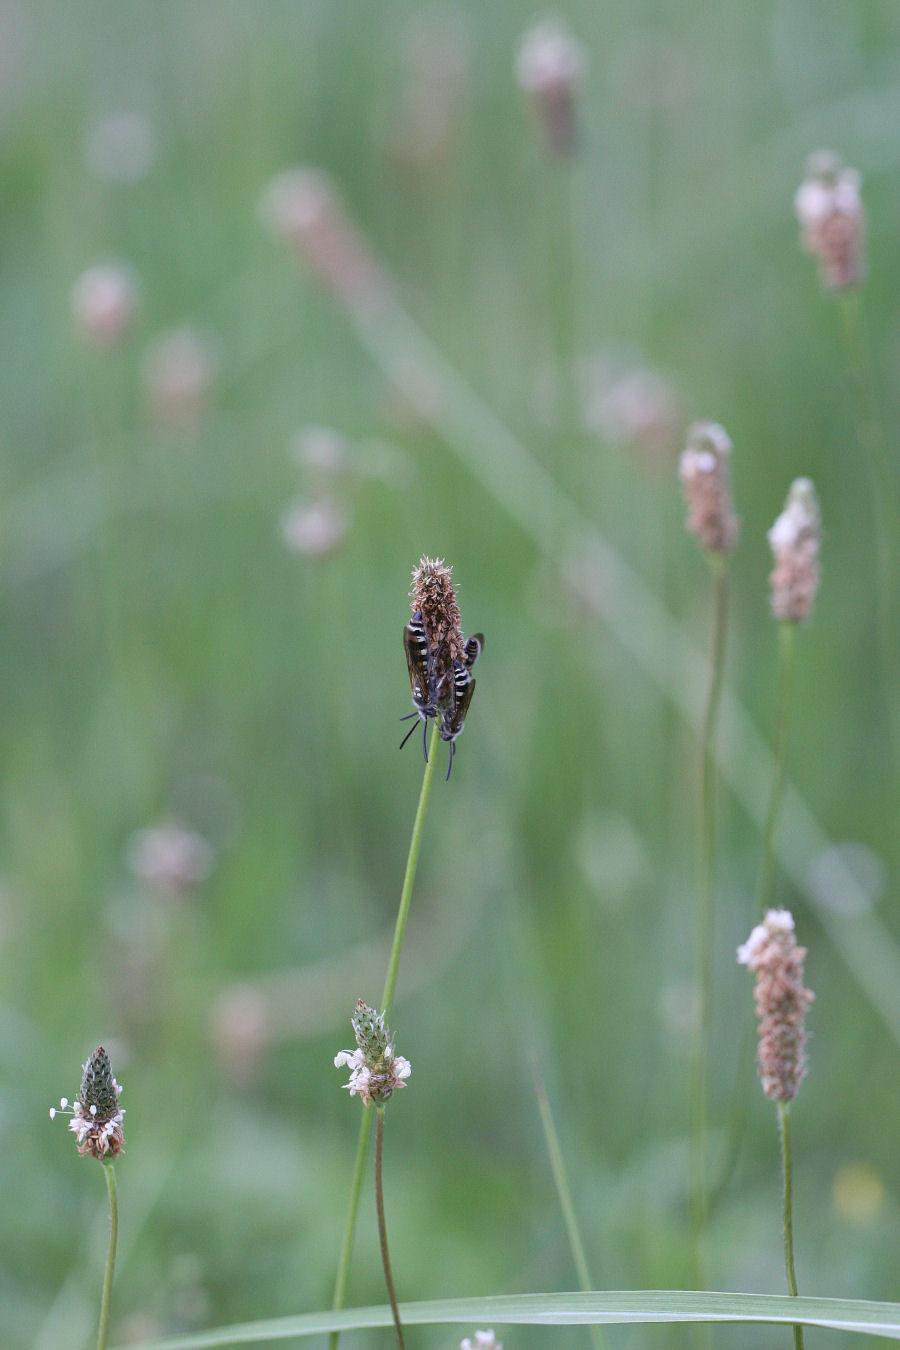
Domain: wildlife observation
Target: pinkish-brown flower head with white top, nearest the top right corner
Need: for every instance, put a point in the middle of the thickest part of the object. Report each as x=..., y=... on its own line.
x=829, y=209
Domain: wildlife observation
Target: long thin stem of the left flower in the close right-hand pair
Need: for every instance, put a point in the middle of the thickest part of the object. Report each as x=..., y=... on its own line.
x=705, y=913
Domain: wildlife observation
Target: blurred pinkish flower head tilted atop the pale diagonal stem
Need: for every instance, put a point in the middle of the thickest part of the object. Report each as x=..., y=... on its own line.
x=303, y=210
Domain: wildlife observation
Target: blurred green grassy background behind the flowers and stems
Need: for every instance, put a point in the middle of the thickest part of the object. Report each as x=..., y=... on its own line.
x=202, y=610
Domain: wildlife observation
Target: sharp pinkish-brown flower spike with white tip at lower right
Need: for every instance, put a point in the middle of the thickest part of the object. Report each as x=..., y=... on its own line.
x=782, y=1002
